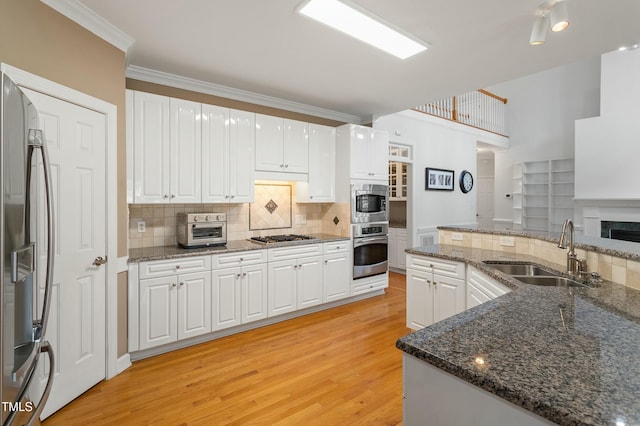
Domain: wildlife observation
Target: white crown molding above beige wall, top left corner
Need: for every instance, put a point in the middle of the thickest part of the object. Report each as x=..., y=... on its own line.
x=87, y=18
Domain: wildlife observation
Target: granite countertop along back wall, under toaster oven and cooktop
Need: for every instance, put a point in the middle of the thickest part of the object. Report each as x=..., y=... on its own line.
x=172, y=252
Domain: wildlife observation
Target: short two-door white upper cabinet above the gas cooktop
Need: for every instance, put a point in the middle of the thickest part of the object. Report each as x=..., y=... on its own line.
x=282, y=145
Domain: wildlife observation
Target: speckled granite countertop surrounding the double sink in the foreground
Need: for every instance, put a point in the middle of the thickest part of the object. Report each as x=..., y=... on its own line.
x=570, y=355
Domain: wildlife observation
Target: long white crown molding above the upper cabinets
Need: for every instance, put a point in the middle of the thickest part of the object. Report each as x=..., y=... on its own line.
x=180, y=82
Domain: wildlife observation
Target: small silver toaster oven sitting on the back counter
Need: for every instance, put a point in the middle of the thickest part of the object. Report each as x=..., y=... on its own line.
x=201, y=229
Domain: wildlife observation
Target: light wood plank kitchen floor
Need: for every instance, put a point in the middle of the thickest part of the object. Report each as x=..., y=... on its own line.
x=336, y=367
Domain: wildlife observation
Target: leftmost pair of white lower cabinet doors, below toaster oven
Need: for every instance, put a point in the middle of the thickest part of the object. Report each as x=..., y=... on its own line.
x=174, y=307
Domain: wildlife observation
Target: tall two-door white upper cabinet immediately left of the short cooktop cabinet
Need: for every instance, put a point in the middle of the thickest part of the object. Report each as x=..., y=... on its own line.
x=228, y=139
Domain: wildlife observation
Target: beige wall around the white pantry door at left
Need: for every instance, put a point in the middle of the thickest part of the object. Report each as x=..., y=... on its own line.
x=37, y=39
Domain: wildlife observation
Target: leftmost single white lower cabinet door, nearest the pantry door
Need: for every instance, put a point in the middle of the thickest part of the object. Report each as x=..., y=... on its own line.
x=158, y=311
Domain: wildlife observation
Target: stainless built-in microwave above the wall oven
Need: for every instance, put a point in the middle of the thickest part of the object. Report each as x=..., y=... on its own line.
x=369, y=203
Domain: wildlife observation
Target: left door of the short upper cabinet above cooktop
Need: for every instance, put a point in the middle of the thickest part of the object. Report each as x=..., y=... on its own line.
x=269, y=140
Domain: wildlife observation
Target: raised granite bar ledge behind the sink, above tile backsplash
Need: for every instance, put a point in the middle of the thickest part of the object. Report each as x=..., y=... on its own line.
x=618, y=248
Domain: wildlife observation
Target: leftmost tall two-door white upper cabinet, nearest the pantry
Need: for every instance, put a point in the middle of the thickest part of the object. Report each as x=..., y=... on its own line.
x=166, y=150
